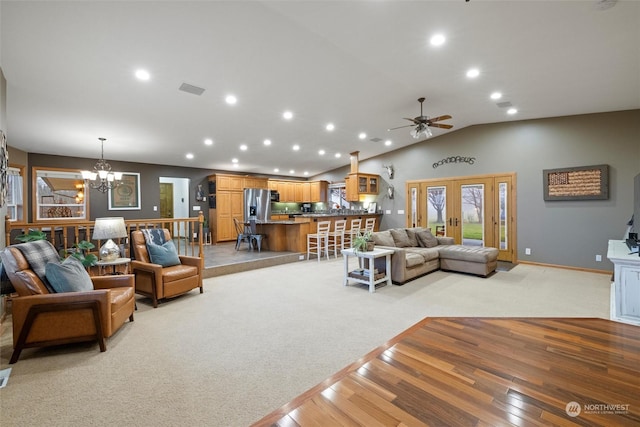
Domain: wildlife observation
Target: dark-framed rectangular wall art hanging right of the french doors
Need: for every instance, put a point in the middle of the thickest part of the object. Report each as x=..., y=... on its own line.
x=577, y=183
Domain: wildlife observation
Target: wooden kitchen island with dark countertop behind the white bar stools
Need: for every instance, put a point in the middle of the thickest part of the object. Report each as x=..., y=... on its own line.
x=291, y=234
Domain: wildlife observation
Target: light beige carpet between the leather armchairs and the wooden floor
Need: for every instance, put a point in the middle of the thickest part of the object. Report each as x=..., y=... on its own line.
x=257, y=339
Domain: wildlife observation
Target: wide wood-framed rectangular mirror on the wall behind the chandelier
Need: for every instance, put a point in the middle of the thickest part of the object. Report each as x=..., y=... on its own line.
x=59, y=195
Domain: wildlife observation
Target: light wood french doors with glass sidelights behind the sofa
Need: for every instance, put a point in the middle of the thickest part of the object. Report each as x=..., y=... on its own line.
x=475, y=211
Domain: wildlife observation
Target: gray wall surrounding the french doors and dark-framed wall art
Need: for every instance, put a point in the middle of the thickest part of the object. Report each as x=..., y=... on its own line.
x=562, y=233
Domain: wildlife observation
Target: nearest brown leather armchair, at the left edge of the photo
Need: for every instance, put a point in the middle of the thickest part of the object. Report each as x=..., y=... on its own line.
x=41, y=318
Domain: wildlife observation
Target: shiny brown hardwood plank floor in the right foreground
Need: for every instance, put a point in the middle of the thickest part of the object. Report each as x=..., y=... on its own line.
x=484, y=372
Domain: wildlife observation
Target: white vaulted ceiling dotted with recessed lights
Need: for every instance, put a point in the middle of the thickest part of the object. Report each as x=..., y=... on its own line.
x=360, y=65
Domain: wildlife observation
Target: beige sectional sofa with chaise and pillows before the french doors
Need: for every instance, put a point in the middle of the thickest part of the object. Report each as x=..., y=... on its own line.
x=417, y=252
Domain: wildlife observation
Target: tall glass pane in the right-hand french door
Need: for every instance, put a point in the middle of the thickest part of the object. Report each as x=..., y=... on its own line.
x=472, y=214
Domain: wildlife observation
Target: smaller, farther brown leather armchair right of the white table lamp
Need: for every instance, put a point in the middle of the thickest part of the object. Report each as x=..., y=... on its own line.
x=159, y=282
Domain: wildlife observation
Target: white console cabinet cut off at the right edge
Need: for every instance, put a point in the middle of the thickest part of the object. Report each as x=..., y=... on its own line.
x=625, y=292
